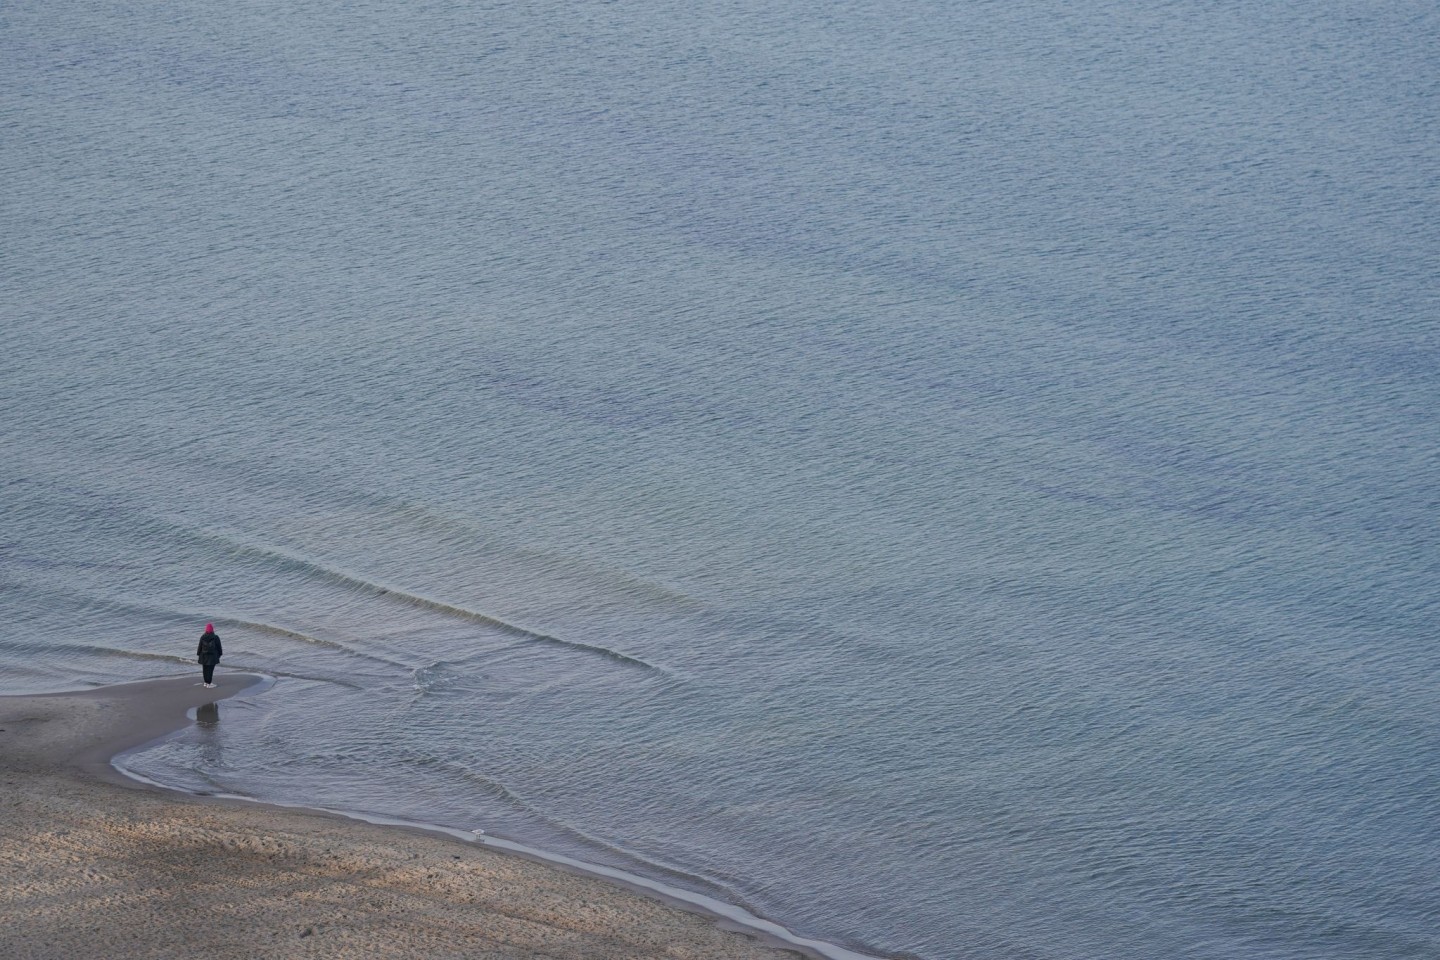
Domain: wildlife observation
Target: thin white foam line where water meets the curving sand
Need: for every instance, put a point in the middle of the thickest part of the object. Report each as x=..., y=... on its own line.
x=731, y=913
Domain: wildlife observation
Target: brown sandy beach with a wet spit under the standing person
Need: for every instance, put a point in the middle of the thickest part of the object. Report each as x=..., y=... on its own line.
x=99, y=866
